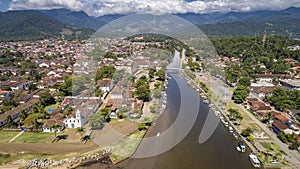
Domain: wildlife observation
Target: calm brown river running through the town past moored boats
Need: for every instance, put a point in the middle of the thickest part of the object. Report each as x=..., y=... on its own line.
x=218, y=152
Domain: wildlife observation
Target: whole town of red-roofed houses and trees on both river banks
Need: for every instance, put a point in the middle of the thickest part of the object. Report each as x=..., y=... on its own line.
x=44, y=90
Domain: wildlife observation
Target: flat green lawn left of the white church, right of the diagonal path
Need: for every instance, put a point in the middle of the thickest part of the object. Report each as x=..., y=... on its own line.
x=35, y=137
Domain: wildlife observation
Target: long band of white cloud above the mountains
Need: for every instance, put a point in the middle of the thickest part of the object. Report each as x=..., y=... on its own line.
x=102, y=7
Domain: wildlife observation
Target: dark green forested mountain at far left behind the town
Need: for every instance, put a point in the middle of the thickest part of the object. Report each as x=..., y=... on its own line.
x=33, y=25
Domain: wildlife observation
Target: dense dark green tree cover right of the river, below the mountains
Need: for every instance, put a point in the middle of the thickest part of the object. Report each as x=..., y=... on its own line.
x=255, y=56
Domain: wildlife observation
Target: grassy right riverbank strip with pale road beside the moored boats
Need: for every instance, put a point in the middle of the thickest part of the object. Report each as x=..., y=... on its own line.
x=269, y=157
